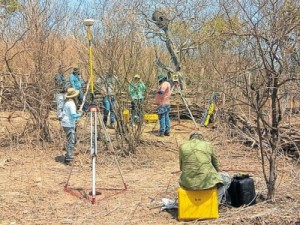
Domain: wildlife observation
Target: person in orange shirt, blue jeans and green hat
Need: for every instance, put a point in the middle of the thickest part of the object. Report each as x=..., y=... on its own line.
x=162, y=99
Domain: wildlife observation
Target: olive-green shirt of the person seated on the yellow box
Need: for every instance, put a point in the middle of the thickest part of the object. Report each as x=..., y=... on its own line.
x=199, y=165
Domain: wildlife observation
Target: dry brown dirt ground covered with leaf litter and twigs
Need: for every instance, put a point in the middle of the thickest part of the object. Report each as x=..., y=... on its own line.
x=32, y=180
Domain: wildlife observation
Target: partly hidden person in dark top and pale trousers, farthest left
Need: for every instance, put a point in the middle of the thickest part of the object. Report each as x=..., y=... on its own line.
x=60, y=90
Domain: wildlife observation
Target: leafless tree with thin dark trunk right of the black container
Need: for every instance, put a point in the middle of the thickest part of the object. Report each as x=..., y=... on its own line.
x=269, y=34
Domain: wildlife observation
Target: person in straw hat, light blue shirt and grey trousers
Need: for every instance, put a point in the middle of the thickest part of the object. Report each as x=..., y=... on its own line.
x=68, y=122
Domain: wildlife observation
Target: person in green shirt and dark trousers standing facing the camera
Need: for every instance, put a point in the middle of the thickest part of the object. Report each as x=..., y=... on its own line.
x=136, y=90
